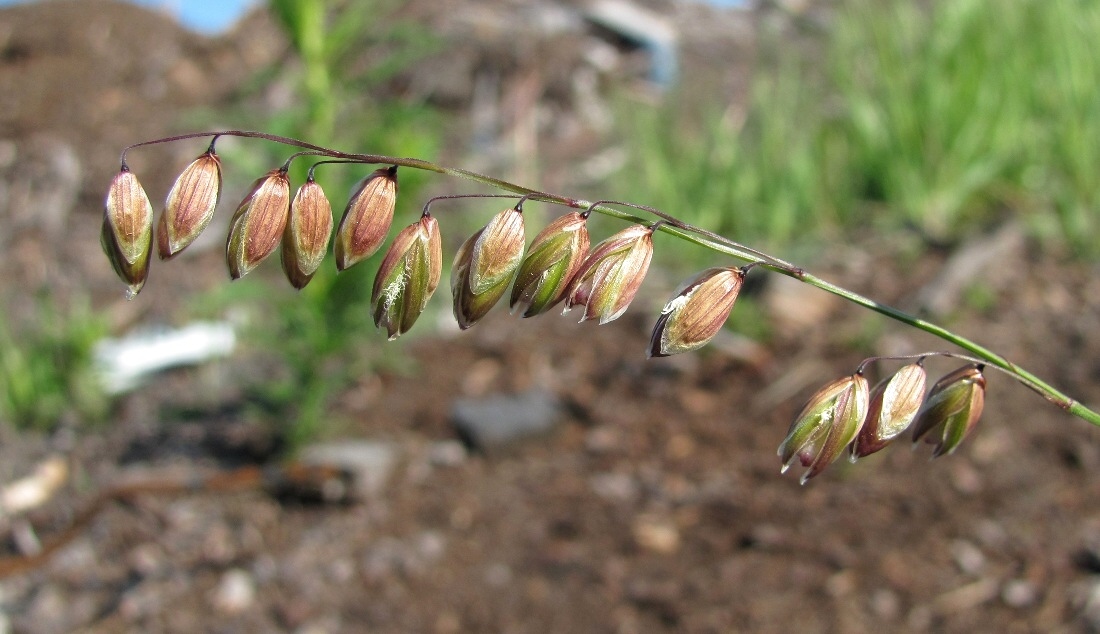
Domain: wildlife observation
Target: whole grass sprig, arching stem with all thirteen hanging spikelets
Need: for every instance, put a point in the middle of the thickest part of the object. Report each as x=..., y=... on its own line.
x=558, y=268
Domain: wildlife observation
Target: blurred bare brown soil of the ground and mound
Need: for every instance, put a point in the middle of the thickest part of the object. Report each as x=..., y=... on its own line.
x=655, y=506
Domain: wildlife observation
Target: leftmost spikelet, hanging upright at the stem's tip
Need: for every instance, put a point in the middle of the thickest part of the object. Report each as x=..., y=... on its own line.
x=127, y=235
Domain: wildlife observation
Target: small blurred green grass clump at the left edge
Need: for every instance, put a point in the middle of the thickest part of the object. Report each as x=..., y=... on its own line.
x=48, y=377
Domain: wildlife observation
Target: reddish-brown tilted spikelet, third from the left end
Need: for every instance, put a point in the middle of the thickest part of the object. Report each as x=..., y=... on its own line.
x=258, y=225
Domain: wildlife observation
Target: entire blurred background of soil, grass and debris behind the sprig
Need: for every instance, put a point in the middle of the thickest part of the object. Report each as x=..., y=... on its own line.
x=542, y=476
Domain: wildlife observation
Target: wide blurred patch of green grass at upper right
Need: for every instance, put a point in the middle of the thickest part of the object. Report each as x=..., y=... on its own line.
x=944, y=117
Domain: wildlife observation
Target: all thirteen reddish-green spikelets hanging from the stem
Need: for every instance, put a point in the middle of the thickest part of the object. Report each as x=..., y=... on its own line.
x=559, y=267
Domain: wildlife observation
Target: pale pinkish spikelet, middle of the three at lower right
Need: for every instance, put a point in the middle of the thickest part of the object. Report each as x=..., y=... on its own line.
x=894, y=407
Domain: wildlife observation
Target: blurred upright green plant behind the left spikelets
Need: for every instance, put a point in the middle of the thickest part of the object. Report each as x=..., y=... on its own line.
x=323, y=337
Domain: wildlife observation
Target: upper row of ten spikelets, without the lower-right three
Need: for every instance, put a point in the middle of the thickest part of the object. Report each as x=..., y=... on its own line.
x=558, y=268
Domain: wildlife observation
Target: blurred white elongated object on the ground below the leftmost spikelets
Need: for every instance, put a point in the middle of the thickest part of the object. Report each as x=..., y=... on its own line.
x=125, y=363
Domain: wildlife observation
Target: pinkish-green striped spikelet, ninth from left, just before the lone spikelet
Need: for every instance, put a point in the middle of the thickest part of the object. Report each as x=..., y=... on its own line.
x=612, y=275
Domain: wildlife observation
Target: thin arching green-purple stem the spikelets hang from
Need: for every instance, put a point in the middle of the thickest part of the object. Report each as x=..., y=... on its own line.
x=696, y=236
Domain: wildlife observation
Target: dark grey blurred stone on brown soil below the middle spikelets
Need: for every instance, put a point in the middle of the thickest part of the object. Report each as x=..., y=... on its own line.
x=496, y=422
